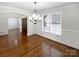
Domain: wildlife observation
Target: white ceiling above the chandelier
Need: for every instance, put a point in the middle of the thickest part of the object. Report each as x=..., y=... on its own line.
x=30, y=5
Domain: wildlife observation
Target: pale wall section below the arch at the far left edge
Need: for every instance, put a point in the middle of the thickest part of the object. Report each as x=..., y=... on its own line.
x=3, y=25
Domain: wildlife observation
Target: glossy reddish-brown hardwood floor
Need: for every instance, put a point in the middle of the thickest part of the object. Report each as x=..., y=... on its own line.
x=19, y=45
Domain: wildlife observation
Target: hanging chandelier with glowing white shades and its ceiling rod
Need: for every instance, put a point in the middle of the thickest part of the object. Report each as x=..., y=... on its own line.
x=35, y=17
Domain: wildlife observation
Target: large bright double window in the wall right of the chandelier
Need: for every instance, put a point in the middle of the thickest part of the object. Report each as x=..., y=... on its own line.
x=52, y=23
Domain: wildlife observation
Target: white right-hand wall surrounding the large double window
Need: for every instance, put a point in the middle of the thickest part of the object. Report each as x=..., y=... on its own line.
x=70, y=25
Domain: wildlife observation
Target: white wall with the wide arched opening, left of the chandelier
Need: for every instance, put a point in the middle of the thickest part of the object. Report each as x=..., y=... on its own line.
x=10, y=12
